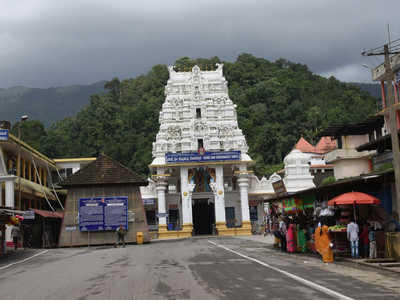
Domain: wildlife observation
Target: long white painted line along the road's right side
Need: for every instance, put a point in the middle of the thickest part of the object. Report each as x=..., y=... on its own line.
x=295, y=277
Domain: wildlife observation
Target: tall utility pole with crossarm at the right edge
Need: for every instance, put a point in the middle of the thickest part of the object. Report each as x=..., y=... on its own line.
x=390, y=114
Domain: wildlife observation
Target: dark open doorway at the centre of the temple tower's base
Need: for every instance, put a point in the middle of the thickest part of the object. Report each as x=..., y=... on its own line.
x=203, y=216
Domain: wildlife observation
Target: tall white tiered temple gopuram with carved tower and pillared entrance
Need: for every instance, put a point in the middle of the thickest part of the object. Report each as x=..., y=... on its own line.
x=201, y=183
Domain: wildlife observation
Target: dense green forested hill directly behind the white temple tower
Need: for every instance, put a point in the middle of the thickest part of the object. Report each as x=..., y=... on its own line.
x=277, y=102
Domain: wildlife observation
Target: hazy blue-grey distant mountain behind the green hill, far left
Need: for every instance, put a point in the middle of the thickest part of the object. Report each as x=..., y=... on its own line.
x=47, y=105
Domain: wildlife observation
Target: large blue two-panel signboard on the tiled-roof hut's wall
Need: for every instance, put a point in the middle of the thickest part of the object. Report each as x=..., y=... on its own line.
x=103, y=213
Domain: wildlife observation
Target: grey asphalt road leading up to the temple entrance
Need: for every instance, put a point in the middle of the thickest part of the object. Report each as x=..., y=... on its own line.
x=198, y=268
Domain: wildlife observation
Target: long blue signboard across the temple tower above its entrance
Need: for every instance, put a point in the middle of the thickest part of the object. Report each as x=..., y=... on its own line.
x=196, y=157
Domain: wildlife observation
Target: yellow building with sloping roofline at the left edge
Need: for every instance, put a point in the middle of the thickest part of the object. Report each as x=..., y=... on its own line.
x=25, y=180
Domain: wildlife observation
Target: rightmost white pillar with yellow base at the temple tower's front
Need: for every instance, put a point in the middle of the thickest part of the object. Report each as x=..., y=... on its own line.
x=243, y=183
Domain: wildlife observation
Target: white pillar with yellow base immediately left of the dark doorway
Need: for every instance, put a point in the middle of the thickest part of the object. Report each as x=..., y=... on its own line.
x=186, y=193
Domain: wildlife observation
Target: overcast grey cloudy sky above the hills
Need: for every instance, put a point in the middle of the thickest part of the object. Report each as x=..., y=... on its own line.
x=47, y=43
